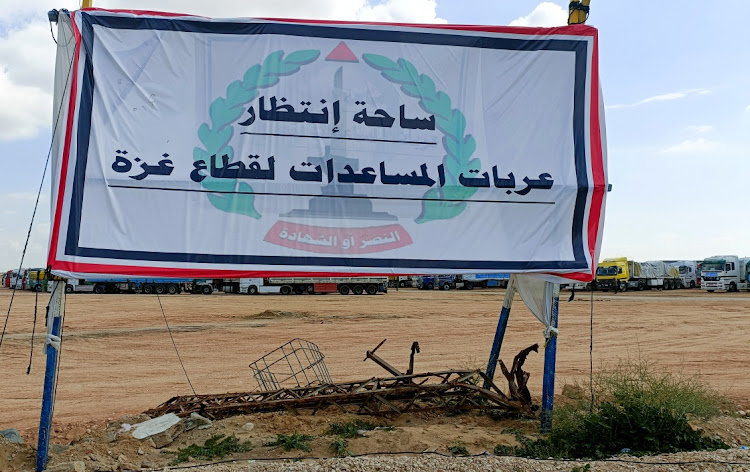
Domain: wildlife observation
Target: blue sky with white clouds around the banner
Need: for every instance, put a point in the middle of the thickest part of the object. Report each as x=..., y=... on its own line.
x=675, y=78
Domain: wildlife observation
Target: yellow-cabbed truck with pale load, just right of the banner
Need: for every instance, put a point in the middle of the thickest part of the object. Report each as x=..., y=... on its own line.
x=623, y=274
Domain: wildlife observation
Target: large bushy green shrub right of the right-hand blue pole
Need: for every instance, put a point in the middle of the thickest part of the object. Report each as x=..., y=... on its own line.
x=638, y=407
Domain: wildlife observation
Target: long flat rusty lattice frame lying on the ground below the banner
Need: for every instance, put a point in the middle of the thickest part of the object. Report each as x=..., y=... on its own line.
x=447, y=390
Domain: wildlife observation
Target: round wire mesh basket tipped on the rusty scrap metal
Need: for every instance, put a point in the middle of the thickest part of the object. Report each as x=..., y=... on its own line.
x=298, y=363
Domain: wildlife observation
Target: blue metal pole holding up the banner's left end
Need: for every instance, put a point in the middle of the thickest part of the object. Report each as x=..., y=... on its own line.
x=54, y=325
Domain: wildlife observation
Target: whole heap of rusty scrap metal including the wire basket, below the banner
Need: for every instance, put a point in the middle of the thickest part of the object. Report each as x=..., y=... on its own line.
x=301, y=363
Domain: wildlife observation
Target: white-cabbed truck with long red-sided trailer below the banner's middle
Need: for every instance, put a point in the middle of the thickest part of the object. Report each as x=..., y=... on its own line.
x=308, y=285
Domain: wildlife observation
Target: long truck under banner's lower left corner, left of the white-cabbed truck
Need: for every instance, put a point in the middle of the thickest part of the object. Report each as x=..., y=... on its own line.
x=140, y=285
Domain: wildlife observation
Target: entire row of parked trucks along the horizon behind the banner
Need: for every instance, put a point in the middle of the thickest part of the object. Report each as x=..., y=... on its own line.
x=724, y=273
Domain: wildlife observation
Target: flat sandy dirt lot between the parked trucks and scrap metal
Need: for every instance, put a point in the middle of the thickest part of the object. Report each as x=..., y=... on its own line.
x=117, y=357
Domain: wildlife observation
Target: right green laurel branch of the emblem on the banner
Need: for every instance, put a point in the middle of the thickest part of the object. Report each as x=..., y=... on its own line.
x=439, y=202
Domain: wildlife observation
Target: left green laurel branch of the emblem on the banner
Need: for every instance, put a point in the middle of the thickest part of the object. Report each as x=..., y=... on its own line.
x=225, y=110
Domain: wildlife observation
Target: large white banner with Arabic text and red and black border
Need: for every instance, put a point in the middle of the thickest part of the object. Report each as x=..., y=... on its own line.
x=223, y=148
